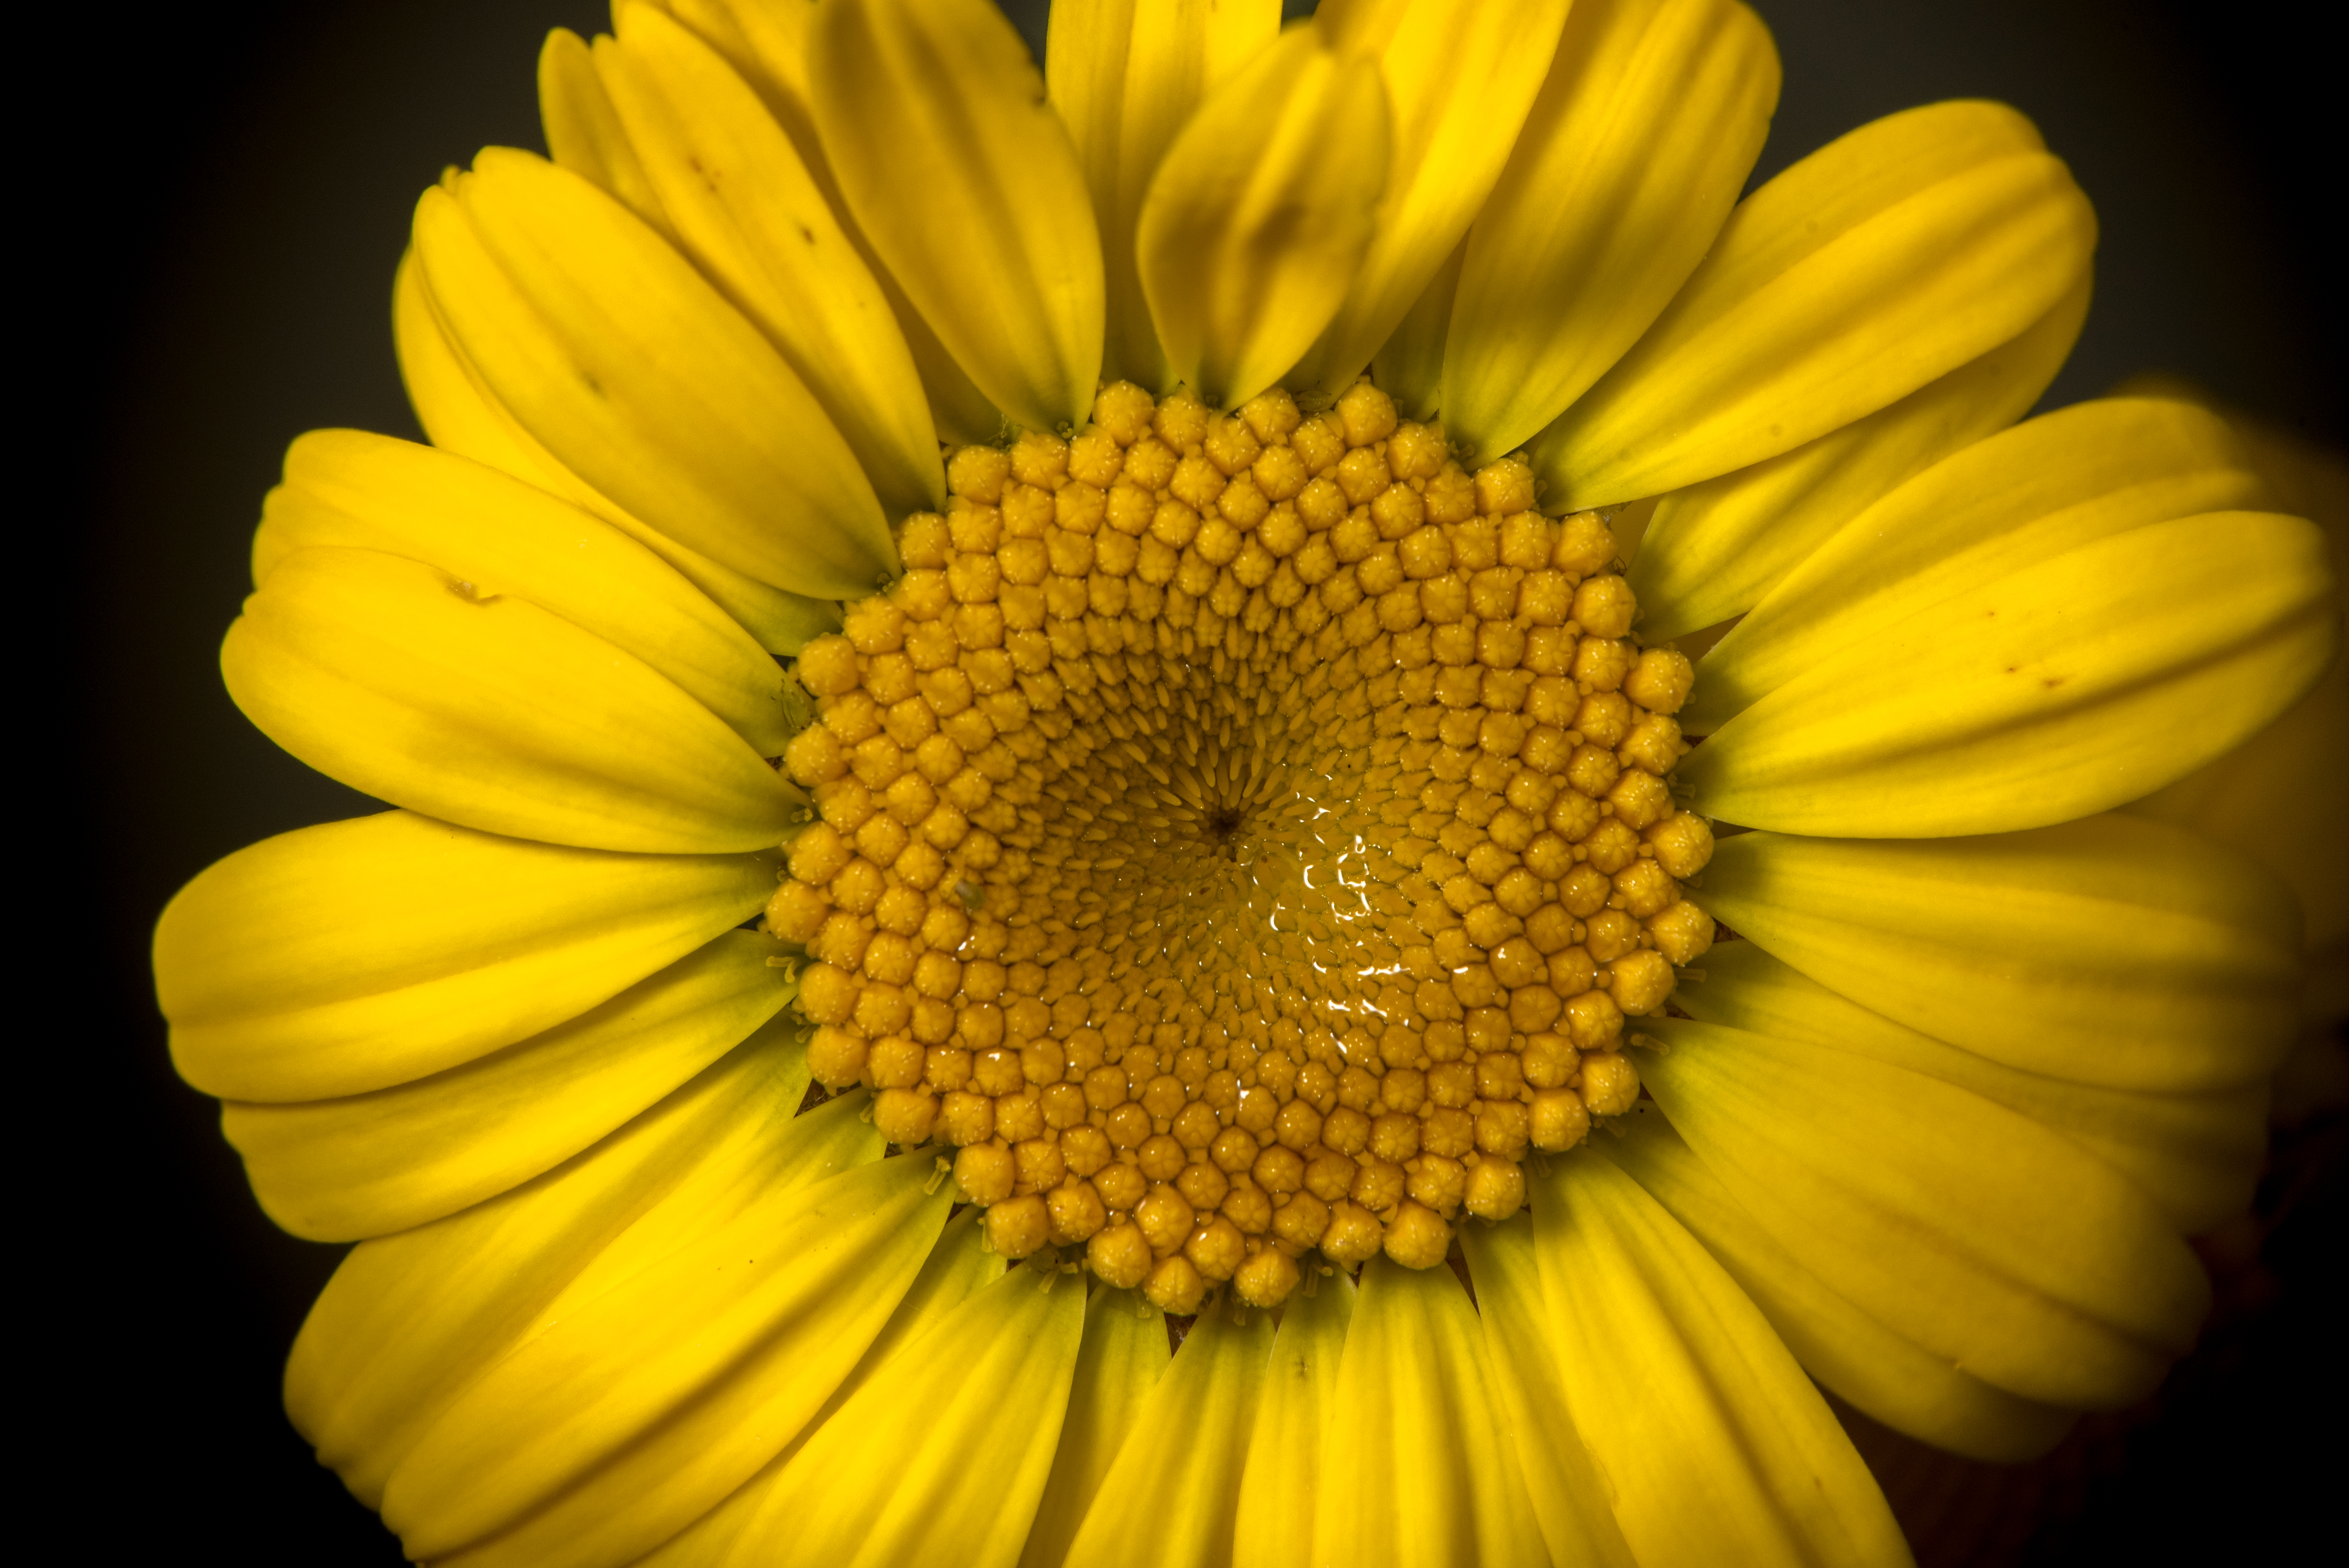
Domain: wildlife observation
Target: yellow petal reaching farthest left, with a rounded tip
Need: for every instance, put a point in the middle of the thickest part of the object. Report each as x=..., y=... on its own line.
x=335, y=959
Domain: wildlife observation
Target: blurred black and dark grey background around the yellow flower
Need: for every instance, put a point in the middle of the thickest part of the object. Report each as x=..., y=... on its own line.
x=213, y=208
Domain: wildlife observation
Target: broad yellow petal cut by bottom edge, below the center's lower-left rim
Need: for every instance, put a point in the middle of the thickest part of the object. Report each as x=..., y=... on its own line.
x=945, y=1452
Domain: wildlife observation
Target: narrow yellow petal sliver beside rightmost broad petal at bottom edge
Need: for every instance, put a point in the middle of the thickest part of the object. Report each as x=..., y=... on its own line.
x=1568, y=1492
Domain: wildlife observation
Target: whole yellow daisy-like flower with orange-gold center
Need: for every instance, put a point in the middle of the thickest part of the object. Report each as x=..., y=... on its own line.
x=1251, y=522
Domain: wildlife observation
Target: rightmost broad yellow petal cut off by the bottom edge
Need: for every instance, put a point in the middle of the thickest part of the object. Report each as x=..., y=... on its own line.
x=1714, y=1442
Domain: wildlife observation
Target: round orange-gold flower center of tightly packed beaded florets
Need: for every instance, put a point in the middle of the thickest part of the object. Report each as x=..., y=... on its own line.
x=1241, y=837
